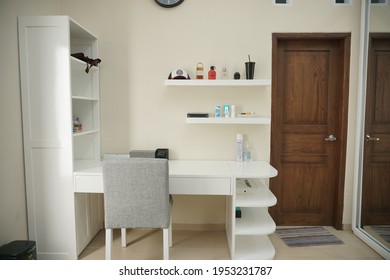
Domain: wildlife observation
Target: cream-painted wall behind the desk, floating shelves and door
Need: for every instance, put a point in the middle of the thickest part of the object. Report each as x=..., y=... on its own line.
x=140, y=43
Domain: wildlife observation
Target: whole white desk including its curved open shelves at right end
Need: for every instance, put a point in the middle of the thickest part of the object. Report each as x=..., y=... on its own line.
x=247, y=236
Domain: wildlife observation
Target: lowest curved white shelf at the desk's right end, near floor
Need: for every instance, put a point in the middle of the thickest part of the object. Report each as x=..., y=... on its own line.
x=250, y=247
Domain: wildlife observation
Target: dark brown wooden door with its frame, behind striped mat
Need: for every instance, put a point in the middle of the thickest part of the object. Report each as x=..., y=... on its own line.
x=309, y=127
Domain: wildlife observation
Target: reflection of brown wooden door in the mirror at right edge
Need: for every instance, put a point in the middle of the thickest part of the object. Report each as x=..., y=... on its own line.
x=376, y=160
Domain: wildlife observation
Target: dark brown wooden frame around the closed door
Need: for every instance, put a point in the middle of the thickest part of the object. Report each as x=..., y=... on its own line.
x=345, y=41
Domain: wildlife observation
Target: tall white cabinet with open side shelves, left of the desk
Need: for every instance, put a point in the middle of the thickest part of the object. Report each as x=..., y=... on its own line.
x=55, y=89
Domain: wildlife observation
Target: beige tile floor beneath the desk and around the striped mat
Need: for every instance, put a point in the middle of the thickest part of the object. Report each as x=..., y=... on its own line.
x=212, y=245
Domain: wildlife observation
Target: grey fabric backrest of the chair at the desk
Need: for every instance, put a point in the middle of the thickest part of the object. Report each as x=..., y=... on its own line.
x=136, y=193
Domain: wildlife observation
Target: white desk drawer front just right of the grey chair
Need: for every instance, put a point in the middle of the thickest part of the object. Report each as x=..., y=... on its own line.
x=200, y=186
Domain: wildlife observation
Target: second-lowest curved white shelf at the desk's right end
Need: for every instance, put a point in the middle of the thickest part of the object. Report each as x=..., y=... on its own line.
x=254, y=221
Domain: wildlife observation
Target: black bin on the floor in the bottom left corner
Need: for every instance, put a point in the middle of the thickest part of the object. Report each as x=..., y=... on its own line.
x=19, y=250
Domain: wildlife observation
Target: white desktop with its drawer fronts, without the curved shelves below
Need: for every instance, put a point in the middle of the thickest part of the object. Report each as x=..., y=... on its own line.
x=185, y=176
